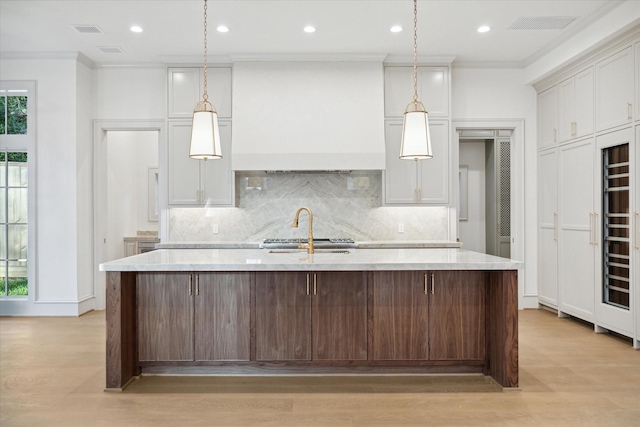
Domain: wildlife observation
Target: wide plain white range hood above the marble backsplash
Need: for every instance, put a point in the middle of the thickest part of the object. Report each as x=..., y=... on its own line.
x=314, y=115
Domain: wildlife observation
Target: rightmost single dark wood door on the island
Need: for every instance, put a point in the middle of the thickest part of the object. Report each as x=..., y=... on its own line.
x=457, y=315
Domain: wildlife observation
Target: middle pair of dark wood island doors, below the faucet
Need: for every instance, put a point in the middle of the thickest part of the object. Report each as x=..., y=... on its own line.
x=311, y=316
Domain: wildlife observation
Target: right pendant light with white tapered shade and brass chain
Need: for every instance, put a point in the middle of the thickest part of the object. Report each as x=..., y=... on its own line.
x=416, y=141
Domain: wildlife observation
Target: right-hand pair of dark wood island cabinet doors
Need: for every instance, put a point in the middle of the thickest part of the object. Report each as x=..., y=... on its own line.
x=428, y=315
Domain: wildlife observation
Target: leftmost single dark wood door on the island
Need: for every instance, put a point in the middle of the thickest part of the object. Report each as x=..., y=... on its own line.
x=165, y=317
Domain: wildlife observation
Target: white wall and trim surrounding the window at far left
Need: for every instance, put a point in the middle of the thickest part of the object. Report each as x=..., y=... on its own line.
x=56, y=185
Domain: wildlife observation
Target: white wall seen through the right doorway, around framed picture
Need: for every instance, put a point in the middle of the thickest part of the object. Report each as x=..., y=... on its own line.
x=473, y=232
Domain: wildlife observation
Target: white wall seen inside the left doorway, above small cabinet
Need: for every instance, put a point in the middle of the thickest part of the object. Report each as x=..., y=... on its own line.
x=129, y=155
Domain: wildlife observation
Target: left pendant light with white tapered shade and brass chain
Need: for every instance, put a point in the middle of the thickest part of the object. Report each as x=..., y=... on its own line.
x=205, y=135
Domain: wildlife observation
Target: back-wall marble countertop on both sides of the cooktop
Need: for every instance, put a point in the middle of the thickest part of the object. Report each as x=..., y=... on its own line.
x=378, y=244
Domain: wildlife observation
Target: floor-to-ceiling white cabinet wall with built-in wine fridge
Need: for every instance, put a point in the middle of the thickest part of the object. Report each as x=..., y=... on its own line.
x=589, y=189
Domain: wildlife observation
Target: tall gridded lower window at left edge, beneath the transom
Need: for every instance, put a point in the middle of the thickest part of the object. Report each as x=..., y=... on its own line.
x=14, y=236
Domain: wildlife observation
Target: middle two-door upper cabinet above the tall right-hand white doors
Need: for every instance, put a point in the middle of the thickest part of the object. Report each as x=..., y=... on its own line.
x=576, y=106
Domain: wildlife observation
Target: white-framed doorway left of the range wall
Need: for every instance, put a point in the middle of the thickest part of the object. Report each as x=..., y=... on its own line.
x=124, y=151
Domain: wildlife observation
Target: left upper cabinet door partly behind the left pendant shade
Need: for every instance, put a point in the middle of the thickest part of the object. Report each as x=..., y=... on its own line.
x=184, y=172
